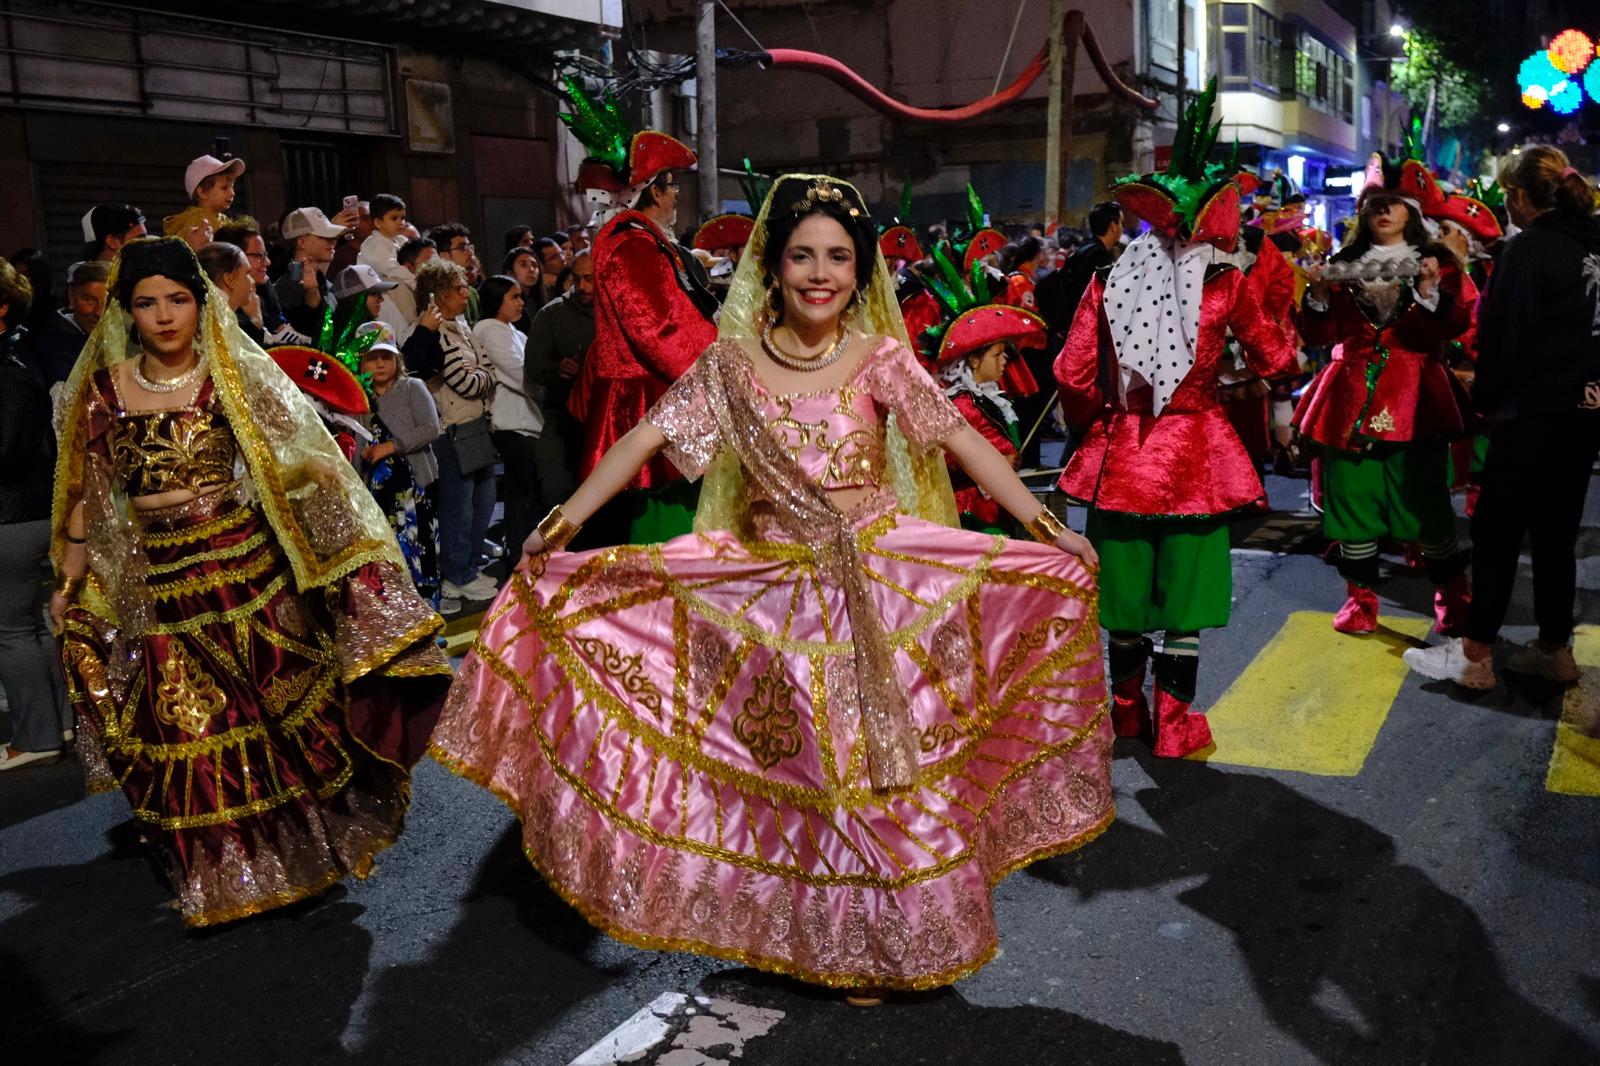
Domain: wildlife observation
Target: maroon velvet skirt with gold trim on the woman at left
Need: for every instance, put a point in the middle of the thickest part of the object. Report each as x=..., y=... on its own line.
x=263, y=737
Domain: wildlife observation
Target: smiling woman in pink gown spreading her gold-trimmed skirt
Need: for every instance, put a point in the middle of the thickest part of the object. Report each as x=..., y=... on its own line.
x=814, y=734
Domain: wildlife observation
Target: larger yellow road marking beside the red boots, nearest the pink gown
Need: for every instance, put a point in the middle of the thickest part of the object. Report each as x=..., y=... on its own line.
x=1313, y=700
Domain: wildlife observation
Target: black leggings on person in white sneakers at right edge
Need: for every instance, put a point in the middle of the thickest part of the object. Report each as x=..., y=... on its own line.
x=1535, y=483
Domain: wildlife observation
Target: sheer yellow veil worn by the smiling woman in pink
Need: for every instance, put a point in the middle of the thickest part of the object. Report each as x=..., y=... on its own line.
x=922, y=483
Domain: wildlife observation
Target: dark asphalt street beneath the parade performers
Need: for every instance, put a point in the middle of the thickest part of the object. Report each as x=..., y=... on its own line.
x=1441, y=905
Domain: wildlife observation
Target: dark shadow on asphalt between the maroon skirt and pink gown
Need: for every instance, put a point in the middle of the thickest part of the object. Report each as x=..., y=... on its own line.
x=484, y=990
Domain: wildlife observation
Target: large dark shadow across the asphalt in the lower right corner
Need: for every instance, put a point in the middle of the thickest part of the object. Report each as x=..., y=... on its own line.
x=1354, y=955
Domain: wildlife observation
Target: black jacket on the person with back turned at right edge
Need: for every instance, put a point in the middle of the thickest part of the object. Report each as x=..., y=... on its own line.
x=1540, y=323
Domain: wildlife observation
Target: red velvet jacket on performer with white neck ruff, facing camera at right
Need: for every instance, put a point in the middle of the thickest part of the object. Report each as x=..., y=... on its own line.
x=1366, y=396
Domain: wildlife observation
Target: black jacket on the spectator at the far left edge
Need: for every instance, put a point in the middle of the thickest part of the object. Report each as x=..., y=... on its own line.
x=28, y=444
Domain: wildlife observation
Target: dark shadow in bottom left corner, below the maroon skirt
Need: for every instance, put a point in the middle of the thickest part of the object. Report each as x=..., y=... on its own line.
x=137, y=988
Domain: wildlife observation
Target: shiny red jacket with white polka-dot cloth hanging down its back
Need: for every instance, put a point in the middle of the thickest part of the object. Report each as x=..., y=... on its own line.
x=1186, y=462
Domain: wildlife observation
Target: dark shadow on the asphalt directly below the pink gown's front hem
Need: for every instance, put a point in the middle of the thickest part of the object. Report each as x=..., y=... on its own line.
x=900, y=1030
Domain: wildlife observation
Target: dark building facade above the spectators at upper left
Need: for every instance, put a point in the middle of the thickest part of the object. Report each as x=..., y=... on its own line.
x=447, y=105
